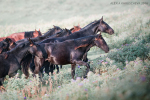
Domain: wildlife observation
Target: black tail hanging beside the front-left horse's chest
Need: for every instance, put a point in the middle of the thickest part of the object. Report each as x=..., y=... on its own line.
x=25, y=64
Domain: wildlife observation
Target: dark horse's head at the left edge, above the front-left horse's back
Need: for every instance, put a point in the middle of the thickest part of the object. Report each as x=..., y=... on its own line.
x=5, y=44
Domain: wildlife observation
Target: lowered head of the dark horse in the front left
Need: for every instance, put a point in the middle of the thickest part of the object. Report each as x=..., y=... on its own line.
x=36, y=49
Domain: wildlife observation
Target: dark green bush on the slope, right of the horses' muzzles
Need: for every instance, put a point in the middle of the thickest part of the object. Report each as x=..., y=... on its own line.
x=129, y=52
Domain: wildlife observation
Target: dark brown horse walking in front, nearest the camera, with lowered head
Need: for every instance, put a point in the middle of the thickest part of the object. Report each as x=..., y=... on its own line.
x=71, y=51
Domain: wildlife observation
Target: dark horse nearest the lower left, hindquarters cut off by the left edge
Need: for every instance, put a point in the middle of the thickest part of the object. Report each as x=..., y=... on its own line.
x=11, y=61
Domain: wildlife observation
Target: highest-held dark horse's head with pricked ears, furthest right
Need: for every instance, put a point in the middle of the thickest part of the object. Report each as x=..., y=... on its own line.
x=104, y=27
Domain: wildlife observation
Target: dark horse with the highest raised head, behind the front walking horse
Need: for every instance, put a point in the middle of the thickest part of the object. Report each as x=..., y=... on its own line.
x=90, y=29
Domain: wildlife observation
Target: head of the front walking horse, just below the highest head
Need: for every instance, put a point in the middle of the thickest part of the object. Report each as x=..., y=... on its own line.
x=100, y=42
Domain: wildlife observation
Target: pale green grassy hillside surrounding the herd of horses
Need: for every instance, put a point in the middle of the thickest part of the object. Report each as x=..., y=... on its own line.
x=121, y=74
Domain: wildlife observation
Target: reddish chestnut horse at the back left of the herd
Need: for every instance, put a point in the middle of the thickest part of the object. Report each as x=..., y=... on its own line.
x=18, y=36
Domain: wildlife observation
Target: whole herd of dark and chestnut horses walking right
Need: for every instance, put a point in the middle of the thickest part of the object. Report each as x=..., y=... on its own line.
x=56, y=47
